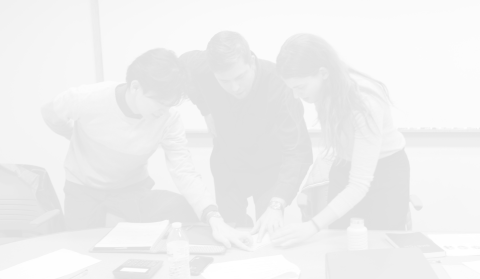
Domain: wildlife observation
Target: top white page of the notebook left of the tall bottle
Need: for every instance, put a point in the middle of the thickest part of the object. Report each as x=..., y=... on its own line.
x=126, y=234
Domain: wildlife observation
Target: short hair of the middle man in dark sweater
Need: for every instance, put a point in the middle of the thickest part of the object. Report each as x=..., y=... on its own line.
x=225, y=48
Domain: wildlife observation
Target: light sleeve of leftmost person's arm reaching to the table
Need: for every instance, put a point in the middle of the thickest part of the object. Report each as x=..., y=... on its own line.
x=180, y=165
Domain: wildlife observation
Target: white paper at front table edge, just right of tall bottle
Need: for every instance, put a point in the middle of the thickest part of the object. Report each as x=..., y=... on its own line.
x=256, y=268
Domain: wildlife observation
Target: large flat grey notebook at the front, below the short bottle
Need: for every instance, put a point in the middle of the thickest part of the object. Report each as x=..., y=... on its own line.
x=393, y=263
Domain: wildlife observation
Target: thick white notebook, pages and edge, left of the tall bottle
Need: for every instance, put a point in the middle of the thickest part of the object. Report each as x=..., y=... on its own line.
x=128, y=237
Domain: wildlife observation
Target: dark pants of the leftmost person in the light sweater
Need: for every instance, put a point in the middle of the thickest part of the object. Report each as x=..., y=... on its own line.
x=86, y=207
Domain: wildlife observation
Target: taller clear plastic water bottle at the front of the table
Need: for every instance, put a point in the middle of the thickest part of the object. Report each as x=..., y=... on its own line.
x=178, y=254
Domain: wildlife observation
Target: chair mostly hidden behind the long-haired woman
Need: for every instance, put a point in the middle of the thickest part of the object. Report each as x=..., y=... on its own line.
x=314, y=197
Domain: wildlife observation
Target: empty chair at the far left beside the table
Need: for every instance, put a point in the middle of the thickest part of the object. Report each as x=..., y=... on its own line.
x=29, y=205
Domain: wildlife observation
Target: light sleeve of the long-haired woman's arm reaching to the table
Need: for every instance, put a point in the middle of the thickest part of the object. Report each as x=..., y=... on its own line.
x=366, y=152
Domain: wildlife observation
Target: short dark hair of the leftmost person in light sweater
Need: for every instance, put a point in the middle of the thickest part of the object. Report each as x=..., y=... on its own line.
x=159, y=71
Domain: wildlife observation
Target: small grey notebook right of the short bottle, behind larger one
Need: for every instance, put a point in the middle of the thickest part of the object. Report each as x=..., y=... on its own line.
x=416, y=239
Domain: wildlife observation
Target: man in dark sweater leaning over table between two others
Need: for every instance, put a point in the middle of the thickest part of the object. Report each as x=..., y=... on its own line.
x=261, y=144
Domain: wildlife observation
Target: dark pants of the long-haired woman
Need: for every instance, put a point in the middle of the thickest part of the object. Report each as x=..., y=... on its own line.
x=385, y=206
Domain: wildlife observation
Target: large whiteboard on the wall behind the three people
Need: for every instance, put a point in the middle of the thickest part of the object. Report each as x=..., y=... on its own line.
x=427, y=52
